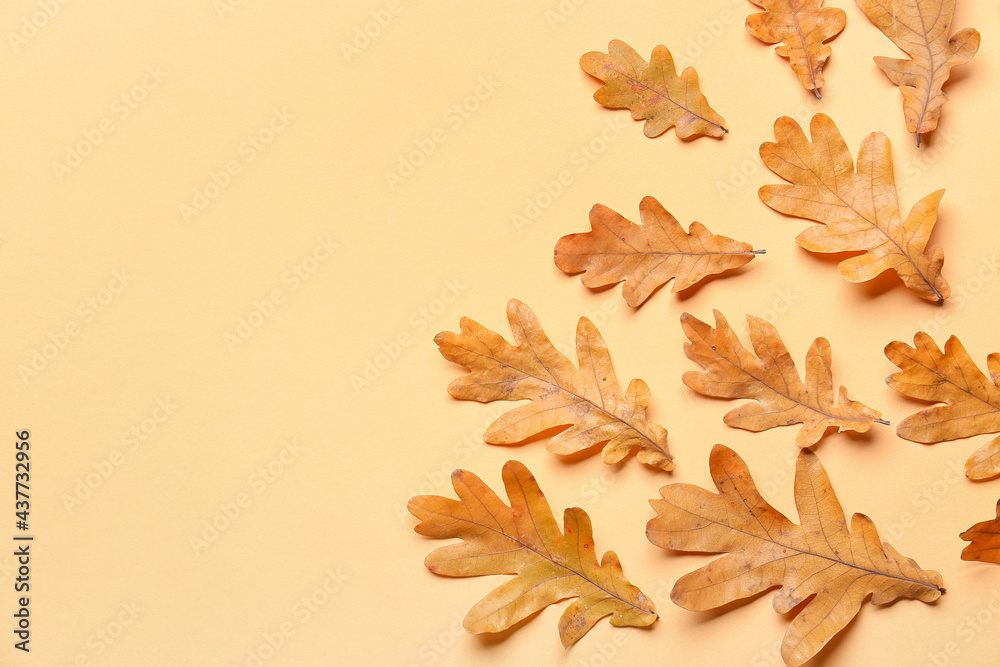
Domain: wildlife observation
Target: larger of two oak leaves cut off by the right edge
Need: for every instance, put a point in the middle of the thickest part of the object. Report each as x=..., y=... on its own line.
x=951, y=377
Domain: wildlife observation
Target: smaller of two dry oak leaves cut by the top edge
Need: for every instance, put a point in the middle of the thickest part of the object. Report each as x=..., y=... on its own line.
x=802, y=26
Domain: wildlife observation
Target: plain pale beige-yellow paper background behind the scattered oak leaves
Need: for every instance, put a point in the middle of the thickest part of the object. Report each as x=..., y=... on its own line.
x=130, y=306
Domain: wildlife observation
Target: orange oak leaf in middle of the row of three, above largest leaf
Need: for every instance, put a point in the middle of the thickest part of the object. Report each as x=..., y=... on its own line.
x=769, y=378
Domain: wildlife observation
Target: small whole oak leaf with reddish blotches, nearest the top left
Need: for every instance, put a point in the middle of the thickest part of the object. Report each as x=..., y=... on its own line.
x=652, y=91
